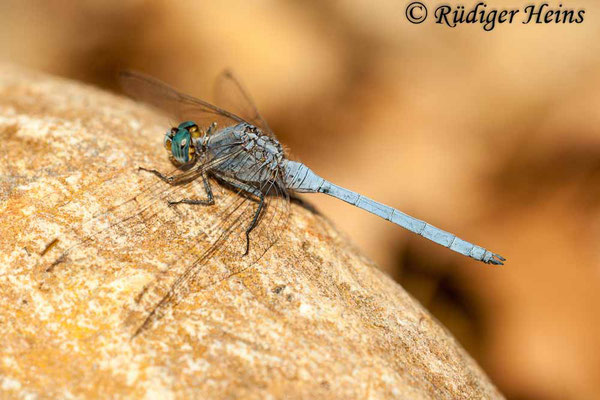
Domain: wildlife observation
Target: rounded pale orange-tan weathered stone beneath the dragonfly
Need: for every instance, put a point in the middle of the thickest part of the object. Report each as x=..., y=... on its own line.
x=313, y=319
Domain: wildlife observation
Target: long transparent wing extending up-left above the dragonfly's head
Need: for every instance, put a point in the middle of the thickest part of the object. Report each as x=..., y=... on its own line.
x=182, y=106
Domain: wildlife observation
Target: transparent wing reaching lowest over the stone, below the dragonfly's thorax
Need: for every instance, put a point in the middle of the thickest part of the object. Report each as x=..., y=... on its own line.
x=220, y=255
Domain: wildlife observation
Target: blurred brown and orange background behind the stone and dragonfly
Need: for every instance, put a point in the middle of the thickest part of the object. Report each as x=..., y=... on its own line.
x=494, y=136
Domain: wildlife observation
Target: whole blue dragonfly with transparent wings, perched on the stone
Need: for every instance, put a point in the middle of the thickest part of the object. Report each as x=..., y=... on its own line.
x=233, y=145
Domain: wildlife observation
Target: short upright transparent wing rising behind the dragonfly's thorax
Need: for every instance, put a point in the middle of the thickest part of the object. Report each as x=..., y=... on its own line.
x=231, y=95
